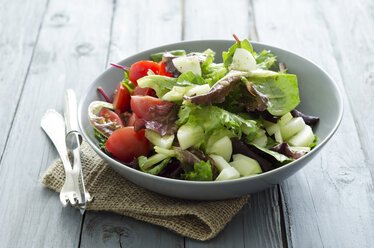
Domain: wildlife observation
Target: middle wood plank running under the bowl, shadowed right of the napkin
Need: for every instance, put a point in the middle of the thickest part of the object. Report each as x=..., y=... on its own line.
x=258, y=224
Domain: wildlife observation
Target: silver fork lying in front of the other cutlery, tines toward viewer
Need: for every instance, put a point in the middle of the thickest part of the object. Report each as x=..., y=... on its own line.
x=54, y=125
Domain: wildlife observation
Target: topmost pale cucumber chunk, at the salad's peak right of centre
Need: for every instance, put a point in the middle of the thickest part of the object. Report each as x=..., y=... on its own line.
x=243, y=60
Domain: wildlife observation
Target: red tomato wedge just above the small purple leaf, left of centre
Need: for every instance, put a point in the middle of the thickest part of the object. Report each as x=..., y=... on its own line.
x=140, y=105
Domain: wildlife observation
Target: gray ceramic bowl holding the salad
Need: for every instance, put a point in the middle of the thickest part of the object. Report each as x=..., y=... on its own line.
x=319, y=96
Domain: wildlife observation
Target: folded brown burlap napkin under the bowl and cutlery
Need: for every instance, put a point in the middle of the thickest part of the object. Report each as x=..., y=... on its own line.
x=201, y=220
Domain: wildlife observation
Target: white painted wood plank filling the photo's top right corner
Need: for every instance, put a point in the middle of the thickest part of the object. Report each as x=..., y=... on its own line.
x=353, y=41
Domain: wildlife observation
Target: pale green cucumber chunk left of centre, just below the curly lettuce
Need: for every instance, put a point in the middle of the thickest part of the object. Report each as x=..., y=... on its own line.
x=189, y=135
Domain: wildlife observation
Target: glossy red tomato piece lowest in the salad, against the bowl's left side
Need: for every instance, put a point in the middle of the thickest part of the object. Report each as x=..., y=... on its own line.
x=126, y=144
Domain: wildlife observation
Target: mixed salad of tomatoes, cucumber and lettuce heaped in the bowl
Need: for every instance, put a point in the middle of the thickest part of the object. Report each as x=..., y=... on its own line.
x=181, y=115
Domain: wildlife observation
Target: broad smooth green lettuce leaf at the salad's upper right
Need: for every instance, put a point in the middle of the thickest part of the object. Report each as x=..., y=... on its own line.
x=281, y=90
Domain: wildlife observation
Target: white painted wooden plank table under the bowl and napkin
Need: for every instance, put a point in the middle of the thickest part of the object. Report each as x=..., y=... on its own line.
x=47, y=46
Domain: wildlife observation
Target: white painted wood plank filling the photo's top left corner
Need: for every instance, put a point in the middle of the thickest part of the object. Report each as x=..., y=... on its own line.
x=19, y=28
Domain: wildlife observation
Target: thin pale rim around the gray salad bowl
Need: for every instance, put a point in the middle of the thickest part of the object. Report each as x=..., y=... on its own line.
x=207, y=183
